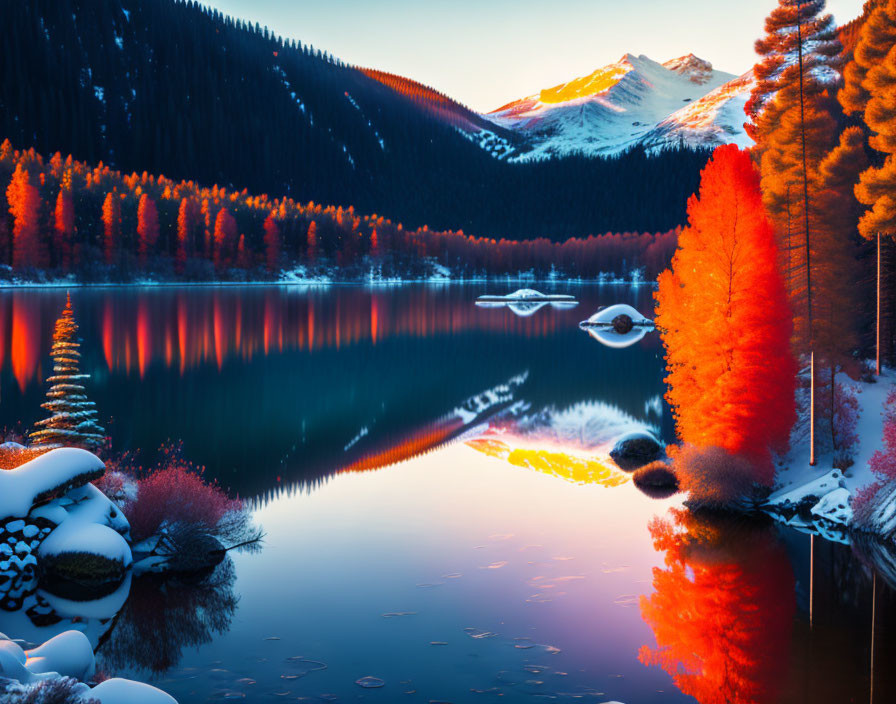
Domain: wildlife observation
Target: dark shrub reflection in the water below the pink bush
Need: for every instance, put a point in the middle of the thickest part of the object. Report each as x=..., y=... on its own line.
x=165, y=614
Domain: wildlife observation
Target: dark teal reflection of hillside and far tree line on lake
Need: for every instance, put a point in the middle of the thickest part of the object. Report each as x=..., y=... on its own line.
x=301, y=383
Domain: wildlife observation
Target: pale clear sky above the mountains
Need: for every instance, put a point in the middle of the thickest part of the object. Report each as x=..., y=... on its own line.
x=485, y=54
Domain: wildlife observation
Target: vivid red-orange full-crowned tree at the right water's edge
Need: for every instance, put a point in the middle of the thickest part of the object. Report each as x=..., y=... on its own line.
x=725, y=321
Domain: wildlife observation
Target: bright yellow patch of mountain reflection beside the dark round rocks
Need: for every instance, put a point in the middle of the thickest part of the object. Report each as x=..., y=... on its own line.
x=554, y=461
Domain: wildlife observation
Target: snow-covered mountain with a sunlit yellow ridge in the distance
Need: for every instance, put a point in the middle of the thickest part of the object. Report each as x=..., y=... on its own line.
x=633, y=102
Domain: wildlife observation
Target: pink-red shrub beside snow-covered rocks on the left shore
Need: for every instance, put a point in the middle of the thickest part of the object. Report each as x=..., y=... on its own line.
x=176, y=493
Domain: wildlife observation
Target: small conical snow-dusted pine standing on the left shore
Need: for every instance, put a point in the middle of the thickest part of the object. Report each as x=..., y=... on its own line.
x=73, y=418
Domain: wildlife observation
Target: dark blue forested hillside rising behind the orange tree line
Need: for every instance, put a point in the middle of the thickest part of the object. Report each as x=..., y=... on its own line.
x=170, y=87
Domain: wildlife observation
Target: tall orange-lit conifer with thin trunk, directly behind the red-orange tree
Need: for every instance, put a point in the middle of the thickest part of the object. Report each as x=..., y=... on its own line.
x=794, y=132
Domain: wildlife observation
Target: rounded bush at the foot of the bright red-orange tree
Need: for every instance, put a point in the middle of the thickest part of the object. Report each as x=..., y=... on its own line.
x=712, y=476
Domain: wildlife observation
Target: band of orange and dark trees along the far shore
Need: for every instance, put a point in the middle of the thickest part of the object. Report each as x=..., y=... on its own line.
x=63, y=218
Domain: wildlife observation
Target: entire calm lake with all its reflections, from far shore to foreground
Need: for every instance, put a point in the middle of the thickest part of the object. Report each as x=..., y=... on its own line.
x=442, y=523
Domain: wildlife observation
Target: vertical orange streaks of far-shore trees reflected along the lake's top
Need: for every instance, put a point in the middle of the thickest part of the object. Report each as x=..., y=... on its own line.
x=187, y=330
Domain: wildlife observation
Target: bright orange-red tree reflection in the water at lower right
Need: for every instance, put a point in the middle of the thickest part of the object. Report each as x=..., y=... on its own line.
x=722, y=609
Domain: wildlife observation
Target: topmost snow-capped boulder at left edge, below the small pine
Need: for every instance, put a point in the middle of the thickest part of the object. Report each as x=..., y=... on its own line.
x=46, y=477
